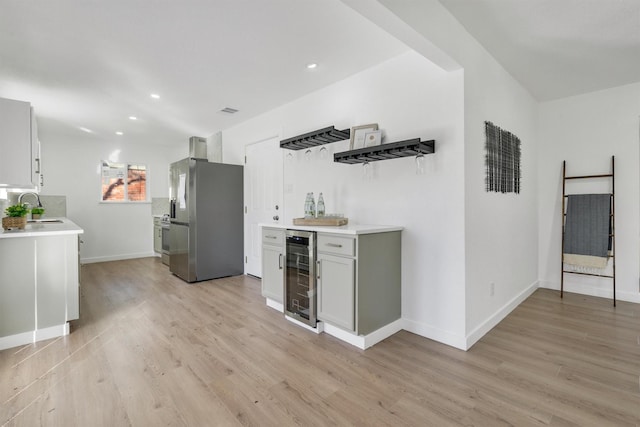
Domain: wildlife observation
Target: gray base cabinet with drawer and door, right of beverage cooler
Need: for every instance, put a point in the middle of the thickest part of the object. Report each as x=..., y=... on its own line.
x=359, y=280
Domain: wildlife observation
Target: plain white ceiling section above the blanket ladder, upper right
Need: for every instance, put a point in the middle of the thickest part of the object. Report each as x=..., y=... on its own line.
x=558, y=48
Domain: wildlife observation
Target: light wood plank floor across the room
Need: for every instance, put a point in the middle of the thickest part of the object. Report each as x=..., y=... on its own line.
x=151, y=350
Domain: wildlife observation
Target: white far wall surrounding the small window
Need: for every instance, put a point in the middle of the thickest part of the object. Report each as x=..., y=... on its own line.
x=111, y=231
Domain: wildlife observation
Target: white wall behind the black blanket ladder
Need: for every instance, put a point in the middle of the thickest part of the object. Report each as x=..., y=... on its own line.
x=585, y=131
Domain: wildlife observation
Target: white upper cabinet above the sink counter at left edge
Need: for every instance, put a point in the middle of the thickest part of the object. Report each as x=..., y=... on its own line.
x=19, y=145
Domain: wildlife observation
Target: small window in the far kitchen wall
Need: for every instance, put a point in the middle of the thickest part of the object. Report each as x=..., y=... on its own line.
x=124, y=182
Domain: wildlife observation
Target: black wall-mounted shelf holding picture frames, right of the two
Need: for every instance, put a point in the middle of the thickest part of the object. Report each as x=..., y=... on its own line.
x=394, y=150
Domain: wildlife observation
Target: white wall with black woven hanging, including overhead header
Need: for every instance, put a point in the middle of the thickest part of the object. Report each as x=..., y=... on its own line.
x=500, y=229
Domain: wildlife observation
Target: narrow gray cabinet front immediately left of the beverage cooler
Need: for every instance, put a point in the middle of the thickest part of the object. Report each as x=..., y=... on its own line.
x=273, y=264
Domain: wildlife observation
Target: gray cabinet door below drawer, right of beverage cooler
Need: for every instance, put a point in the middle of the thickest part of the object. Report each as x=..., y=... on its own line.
x=336, y=290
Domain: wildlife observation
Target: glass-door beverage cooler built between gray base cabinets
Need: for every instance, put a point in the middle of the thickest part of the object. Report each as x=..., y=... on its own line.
x=300, y=278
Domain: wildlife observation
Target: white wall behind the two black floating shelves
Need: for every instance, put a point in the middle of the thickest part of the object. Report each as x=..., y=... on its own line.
x=408, y=97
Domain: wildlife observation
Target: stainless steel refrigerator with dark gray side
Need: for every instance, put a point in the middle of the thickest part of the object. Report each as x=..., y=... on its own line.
x=206, y=235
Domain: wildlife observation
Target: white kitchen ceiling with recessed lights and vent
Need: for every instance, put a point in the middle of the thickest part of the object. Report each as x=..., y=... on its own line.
x=94, y=63
